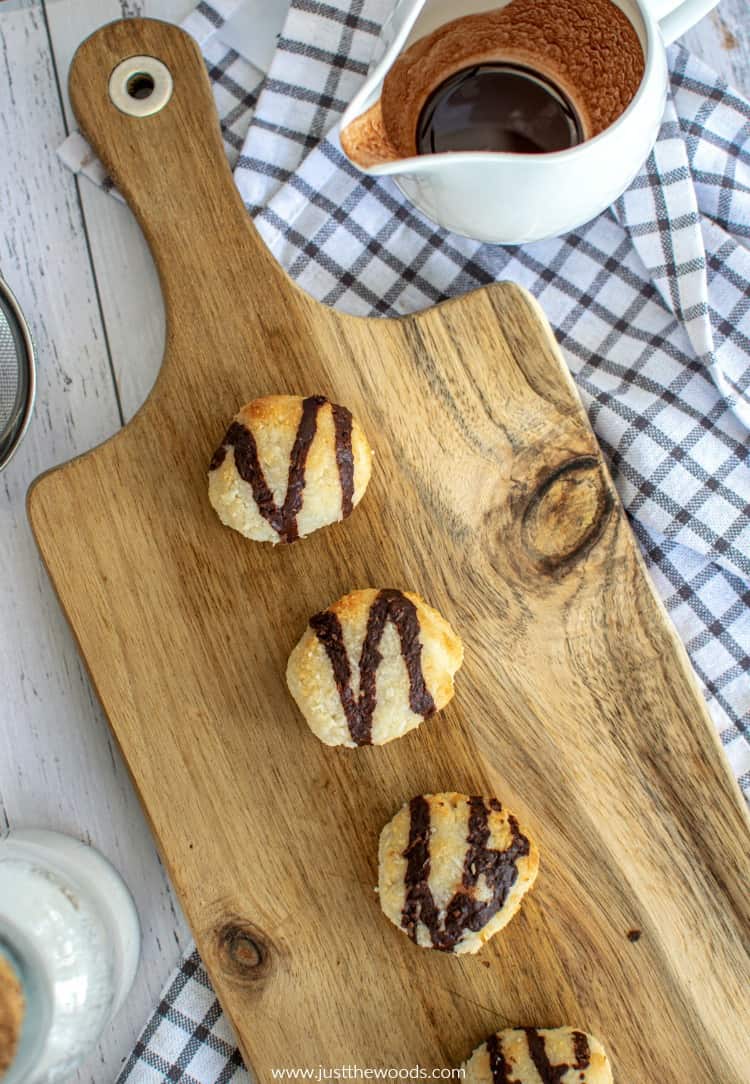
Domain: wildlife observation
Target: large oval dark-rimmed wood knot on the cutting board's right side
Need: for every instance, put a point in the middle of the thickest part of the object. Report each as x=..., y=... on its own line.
x=567, y=514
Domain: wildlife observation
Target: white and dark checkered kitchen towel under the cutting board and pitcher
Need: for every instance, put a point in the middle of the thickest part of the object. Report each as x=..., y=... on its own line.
x=651, y=304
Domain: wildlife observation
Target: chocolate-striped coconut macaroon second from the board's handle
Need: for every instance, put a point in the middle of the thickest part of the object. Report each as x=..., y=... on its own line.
x=372, y=667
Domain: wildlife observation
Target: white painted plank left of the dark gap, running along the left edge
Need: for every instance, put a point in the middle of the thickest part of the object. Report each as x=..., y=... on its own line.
x=58, y=766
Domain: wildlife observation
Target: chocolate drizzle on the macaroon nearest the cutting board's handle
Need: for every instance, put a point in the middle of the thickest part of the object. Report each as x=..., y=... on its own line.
x=285, y=521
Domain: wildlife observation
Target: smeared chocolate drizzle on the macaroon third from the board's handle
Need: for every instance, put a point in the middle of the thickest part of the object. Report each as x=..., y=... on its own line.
x=464, y=911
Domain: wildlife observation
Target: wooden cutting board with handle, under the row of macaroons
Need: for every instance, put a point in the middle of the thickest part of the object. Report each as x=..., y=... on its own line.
x=576, y=706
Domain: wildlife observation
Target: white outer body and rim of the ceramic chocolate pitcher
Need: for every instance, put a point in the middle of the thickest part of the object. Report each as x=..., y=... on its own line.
x=513, y=199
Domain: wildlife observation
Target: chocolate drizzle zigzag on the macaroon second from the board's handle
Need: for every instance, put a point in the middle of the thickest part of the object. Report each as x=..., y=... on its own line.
x=389, y=606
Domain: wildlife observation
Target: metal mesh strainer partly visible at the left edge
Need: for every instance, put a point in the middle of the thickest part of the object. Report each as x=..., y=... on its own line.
x=17, y=376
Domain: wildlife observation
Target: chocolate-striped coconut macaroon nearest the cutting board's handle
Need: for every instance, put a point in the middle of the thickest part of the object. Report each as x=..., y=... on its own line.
x=288, y=467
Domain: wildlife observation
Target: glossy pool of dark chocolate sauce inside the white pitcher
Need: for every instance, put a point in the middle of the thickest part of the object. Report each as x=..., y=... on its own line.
x=498, y=108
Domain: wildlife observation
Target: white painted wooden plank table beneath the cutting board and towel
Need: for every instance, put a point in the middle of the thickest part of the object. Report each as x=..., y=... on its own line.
x=81, y=269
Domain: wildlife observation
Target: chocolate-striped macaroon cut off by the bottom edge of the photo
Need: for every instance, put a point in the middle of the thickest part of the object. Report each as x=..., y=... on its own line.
x=527, y=1055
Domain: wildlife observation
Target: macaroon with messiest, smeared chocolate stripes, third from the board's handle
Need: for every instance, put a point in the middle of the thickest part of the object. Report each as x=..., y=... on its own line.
x=454, y=871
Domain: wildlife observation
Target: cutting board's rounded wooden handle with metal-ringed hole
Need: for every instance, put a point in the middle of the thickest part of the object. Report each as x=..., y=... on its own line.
x=143, y=97
